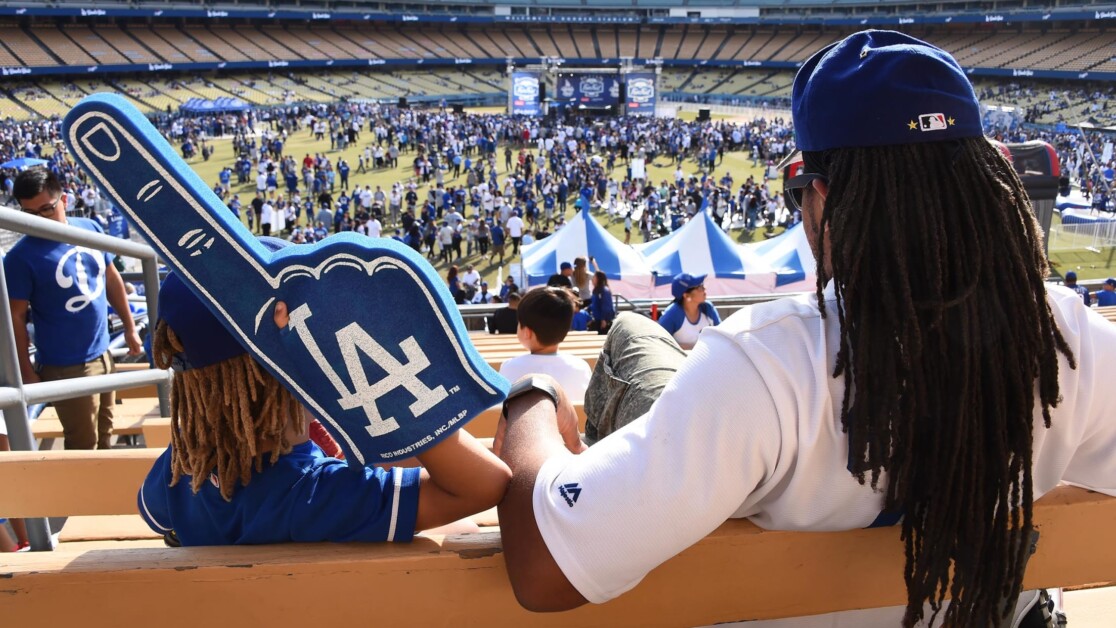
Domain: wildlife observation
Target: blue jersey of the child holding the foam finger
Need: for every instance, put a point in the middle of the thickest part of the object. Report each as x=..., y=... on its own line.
x=305, y=497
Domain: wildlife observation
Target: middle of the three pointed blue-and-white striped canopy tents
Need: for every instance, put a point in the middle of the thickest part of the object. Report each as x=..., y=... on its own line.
x=700, y=247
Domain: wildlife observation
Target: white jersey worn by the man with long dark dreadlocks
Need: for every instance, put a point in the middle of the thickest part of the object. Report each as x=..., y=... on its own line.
x=714, y=447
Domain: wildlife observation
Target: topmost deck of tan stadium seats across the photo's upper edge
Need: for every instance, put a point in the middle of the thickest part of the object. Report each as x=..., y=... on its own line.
x=43, y=46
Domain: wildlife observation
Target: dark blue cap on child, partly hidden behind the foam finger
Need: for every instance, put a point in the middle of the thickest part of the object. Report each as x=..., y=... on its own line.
x=205, y=340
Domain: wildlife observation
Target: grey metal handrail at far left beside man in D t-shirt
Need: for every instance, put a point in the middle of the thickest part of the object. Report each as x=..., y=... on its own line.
x=16, y=397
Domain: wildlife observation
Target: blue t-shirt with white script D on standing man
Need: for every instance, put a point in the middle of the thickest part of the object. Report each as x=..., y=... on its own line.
x=66, y=288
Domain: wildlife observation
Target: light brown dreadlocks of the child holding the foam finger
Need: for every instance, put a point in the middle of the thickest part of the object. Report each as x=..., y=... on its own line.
x=222, y=416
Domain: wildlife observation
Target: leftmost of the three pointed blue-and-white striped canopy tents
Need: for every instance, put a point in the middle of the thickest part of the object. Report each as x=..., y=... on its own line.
x=583, y=236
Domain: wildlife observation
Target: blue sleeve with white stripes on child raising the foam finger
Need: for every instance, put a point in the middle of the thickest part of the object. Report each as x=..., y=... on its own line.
x=339, y=503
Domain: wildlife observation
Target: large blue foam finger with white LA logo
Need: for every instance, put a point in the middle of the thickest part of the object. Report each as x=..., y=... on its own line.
x=376, y=347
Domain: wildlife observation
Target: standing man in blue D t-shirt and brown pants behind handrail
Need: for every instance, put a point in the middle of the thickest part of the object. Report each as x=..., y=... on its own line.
x=65, y=291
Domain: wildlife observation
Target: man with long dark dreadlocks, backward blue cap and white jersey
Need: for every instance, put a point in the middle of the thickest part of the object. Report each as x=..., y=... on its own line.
x=932, y=382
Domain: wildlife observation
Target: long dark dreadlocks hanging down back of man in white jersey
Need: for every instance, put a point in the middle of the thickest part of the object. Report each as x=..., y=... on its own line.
x=946, y=339
